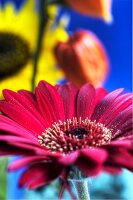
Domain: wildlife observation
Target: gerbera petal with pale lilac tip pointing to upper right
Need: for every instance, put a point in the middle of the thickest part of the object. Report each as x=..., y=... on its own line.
x=105, y=103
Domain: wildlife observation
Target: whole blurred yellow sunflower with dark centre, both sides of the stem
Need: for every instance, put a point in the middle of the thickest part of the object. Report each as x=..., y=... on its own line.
x=16, y=61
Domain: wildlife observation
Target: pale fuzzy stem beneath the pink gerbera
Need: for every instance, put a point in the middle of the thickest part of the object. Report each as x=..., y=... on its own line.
x=81, y=188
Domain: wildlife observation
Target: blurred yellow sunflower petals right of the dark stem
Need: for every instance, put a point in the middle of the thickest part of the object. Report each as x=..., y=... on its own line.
x=55, y=32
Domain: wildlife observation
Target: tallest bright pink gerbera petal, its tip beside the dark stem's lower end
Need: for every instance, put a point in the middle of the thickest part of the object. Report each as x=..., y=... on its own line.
x=52, y=97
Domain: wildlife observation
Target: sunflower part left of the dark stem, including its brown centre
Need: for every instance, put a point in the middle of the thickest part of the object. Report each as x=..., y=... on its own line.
x=16, y=39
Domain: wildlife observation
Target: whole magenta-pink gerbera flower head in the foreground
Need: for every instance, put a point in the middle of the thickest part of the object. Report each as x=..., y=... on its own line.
x=62, y=127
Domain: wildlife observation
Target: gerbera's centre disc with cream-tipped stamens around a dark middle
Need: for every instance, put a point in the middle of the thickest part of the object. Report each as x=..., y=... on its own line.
x=74, y=134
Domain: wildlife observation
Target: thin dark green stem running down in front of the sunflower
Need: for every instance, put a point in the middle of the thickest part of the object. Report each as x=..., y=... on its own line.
x=42, y=25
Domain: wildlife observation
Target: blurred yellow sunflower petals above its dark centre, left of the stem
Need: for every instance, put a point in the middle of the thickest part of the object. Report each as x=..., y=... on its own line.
x=23, y=22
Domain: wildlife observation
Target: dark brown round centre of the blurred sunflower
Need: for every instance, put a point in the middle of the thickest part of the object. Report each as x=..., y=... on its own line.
x=14, y=54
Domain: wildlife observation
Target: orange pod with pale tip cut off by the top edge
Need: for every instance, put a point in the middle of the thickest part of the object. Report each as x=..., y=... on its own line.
x=95, y=8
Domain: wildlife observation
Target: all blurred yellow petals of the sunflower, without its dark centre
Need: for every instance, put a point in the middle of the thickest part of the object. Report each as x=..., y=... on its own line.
x=26, y=26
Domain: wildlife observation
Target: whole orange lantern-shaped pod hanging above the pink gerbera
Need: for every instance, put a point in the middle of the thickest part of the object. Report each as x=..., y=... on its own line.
x=83, y=59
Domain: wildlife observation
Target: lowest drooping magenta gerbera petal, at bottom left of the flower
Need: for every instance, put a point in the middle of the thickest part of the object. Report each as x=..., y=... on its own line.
x=43, y=174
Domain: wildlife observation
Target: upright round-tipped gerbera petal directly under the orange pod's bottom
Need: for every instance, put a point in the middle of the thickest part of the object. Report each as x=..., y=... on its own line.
x=85, y=101
